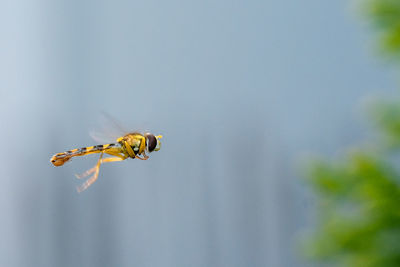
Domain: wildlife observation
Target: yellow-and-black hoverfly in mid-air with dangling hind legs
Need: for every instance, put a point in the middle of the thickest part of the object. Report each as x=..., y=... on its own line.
x=132, y=145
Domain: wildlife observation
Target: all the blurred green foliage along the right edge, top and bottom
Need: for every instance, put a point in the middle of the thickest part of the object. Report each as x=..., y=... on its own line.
x=358, y=196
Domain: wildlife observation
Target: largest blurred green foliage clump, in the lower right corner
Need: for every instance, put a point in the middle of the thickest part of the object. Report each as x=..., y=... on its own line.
x=359, y=211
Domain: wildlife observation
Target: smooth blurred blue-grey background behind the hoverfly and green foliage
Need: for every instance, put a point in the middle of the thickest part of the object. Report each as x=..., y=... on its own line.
x=242, y=91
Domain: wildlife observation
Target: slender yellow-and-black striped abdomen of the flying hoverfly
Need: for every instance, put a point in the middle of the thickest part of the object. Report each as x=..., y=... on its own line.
x=60, y=158
